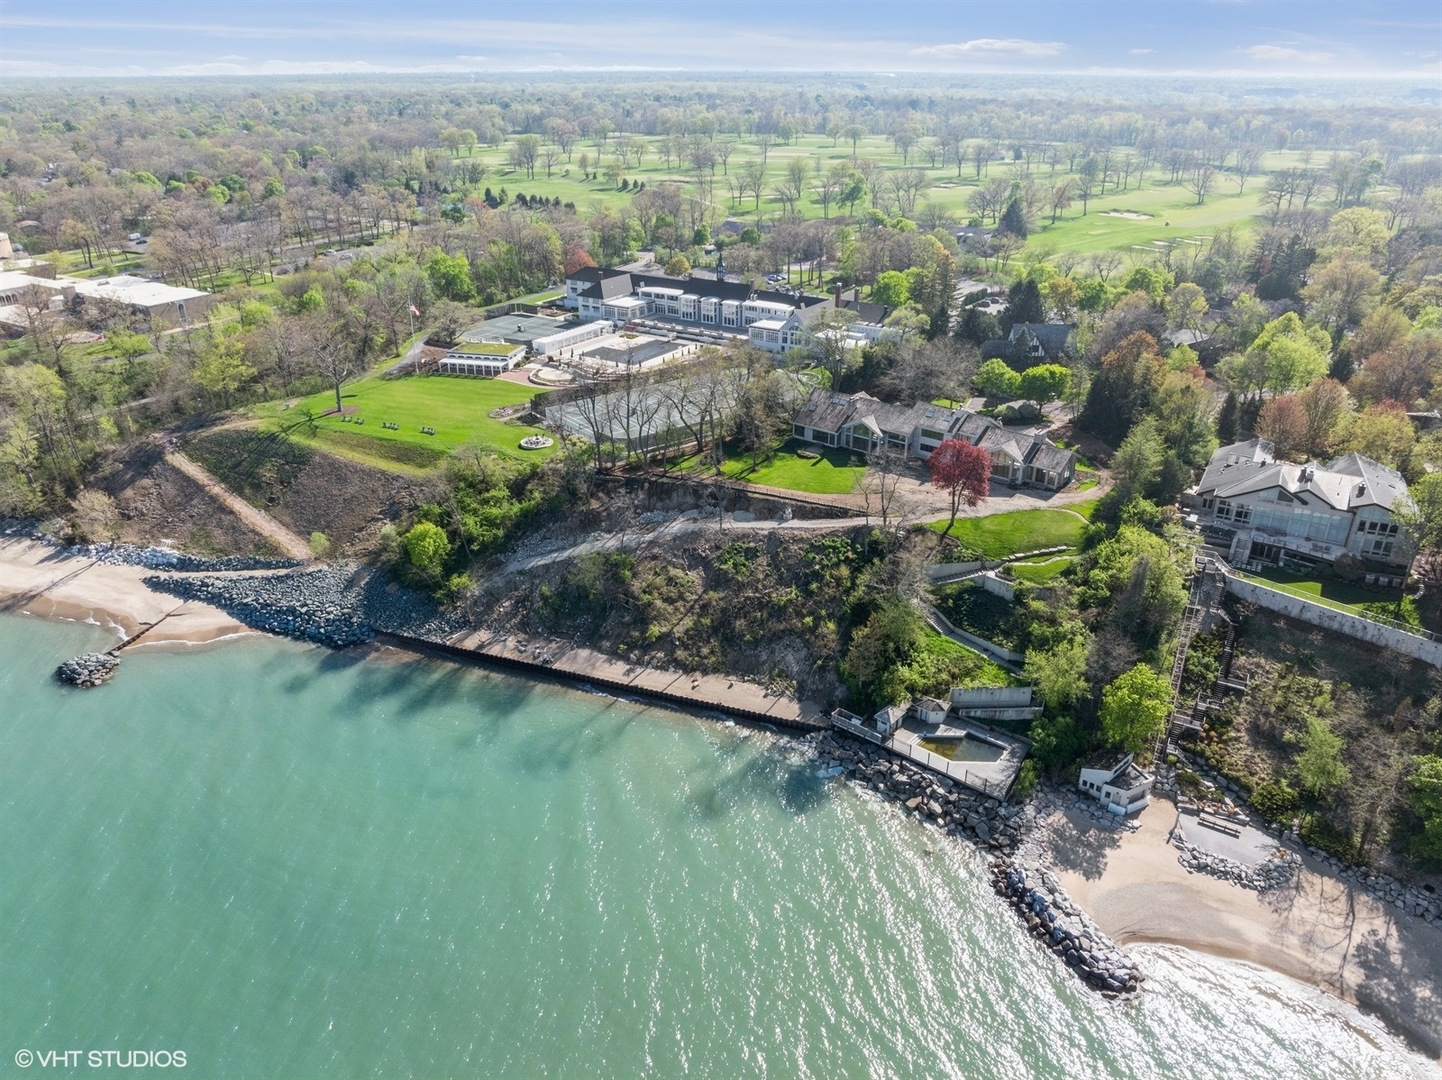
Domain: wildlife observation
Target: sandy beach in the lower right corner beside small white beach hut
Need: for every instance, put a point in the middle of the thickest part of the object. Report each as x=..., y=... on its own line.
x=1320, y=929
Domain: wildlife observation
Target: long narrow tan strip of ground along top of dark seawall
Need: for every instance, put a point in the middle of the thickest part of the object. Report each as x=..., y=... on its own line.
x=696, y=691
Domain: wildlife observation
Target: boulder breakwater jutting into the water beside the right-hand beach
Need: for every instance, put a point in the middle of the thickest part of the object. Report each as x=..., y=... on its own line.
x=1066, y=929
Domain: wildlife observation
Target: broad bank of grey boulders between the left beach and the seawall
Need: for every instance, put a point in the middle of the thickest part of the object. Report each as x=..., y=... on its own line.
x=338, y=605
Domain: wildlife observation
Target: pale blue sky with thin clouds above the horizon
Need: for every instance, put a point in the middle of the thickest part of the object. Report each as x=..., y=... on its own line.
x=1232, y=38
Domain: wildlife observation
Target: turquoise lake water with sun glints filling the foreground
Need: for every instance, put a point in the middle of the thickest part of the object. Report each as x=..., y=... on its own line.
x=293, y=863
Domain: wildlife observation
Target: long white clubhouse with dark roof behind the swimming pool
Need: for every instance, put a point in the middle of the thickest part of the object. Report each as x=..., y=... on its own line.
x=772, y=321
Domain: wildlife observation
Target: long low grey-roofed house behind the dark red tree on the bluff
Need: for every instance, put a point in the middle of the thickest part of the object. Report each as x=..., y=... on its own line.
x=859, y=422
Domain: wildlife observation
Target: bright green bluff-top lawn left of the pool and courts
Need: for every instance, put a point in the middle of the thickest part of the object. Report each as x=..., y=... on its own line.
x=456, y=407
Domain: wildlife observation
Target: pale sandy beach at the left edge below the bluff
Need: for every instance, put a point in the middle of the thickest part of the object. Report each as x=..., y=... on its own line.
x=38, y=580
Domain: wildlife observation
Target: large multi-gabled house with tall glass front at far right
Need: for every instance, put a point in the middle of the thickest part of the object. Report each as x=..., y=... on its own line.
x=1299, y=515
